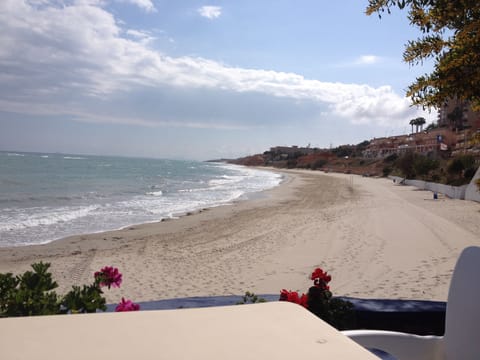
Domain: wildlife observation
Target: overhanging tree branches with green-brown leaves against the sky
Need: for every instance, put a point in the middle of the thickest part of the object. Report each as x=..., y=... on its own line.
x=450, y=37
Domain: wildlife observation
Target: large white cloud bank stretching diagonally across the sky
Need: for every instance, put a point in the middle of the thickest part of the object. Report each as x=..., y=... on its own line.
x=55, y=57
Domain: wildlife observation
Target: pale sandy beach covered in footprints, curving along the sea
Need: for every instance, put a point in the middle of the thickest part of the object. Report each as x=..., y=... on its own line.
x=377, y=239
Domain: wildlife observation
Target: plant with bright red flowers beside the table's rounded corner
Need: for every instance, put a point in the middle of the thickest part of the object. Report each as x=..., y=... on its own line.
x=337, y=312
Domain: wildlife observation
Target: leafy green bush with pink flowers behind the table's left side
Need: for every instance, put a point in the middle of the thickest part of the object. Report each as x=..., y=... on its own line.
x=33, y=293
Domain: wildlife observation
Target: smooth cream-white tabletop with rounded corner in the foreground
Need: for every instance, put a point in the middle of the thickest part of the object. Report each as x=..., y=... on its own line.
x=276, y=330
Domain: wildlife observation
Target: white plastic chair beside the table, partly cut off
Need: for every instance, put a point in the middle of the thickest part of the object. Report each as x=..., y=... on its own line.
x=462, y=323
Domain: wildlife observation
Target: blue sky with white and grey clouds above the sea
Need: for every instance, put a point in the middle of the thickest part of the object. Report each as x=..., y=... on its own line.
x=191, y=79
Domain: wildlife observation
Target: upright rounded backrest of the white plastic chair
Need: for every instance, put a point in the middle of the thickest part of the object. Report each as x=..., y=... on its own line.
x=462, y=327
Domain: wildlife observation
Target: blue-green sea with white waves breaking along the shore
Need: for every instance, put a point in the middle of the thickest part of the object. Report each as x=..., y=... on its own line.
x=45, y=197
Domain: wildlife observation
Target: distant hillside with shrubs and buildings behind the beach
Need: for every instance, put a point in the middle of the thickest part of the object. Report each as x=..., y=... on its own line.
x=435, y=166
